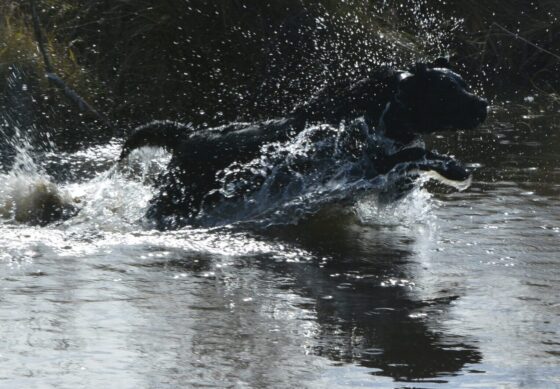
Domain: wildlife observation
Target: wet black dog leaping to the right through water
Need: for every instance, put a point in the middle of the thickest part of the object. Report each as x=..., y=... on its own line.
x=401, y=105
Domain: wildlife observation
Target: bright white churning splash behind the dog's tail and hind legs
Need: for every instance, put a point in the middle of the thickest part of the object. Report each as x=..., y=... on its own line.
x=85, y=186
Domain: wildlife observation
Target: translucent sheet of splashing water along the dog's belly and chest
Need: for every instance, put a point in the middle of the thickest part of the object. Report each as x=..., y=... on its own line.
x=321, y=166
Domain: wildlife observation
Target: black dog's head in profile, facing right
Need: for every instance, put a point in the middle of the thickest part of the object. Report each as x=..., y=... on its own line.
x=435, y=98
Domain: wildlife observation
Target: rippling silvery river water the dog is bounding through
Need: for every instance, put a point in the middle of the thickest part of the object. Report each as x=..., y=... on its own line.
x=439, y=289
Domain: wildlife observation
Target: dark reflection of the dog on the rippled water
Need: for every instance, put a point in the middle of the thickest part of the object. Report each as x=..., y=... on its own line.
x=368, y=311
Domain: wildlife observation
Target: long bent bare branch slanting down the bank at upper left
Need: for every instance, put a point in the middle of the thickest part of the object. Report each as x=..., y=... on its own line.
x=56, y=80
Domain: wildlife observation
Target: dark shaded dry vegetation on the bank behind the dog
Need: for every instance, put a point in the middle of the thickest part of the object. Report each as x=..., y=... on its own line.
x=210, y=61
